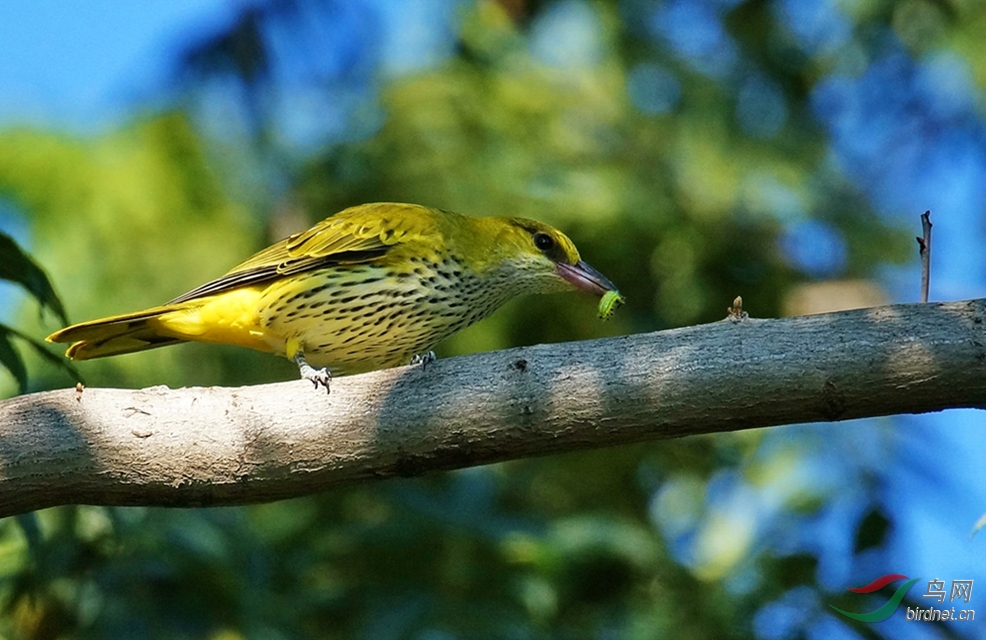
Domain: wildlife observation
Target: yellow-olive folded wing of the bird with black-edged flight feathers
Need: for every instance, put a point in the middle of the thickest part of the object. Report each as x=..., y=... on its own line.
x=354, y=236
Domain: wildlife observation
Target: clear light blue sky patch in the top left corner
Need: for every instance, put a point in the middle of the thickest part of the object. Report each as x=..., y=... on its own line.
x=81, y=64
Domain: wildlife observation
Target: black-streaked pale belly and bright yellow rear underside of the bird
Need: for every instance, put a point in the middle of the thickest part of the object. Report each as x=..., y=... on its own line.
x=349, y=320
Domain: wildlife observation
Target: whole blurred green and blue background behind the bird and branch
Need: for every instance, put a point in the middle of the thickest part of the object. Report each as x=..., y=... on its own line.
x=695, y=150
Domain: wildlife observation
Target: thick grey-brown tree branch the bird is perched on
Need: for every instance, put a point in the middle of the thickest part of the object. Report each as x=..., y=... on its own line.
x=223, y=446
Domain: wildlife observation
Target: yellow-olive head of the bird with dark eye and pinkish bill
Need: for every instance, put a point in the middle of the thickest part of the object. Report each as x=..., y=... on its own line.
x=542, y=259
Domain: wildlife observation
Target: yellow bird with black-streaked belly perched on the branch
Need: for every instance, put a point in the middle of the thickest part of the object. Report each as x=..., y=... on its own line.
x=374, y=286
